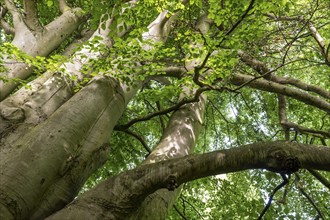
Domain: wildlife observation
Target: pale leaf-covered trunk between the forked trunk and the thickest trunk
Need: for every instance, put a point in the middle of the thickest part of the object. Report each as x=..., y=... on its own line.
x=30, y=106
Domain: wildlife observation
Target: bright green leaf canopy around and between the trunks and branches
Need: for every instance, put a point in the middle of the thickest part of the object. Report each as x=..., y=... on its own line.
x=233, y=117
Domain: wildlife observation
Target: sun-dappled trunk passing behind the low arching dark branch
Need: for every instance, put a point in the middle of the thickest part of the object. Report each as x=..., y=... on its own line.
x=178, y=140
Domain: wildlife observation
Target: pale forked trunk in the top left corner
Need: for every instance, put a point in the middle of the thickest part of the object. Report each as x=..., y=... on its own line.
x=38, y=42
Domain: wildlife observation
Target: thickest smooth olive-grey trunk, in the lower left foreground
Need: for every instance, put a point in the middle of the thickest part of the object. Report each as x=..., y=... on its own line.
x=60, y=153
